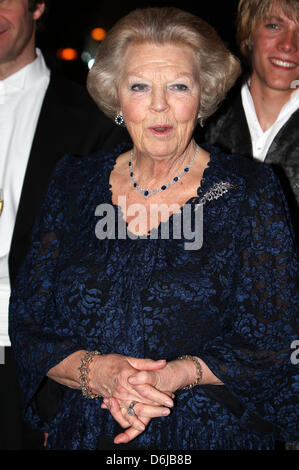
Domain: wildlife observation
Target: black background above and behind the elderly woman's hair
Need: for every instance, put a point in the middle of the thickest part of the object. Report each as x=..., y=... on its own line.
x=68, y=24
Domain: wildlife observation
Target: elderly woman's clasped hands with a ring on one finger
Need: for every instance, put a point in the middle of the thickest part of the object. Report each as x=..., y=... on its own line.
x=125, y=380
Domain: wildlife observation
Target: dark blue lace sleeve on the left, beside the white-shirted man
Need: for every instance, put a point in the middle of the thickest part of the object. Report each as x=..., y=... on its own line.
x=37, y=338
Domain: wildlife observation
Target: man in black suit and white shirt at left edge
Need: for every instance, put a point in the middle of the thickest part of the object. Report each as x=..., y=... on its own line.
x=42, y=117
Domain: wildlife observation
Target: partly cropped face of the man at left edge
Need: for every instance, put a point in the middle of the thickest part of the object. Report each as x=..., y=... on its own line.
x=17, y=26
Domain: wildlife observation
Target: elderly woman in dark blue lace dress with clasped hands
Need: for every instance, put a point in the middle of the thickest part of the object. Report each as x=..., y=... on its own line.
x=183, y=336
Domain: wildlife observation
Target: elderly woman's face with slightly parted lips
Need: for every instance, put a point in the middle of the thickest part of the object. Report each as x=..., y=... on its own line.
x=159, y=97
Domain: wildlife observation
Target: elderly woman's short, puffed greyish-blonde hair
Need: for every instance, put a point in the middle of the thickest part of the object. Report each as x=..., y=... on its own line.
x=218, y=68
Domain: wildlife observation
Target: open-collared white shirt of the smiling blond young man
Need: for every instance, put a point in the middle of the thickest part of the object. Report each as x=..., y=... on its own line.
x=261, y=140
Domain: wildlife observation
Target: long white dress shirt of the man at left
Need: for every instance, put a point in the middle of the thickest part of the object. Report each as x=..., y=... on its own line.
x=21, y=97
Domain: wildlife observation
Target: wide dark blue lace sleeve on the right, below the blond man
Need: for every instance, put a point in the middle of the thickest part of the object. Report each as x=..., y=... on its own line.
x=253, y=356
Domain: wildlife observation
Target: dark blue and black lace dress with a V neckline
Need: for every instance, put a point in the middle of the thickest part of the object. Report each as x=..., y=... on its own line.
x=233, y=303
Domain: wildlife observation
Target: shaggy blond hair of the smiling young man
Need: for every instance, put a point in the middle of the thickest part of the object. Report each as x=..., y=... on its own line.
x=251, y=13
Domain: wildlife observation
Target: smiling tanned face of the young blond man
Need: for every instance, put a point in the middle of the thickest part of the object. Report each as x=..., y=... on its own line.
x=275, y=54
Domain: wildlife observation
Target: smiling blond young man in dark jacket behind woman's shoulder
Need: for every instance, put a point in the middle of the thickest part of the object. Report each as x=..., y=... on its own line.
x=261, y=120
